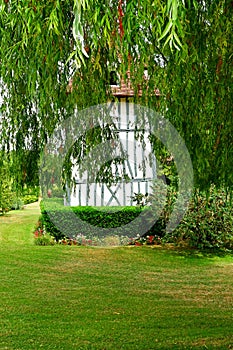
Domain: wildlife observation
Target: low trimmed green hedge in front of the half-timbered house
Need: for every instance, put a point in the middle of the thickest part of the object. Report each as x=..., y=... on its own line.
x=60, y=221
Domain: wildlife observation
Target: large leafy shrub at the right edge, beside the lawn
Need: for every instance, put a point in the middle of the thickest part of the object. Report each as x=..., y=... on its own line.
x=209, y=221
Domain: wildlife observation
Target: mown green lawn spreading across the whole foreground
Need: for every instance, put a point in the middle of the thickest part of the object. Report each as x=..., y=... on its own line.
x=69, y=297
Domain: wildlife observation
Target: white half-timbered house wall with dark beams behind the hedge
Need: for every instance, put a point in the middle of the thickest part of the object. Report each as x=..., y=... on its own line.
x=140, y=166
